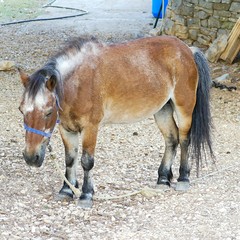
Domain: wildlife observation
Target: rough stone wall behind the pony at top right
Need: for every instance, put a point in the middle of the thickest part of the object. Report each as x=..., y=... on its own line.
x=201, y=21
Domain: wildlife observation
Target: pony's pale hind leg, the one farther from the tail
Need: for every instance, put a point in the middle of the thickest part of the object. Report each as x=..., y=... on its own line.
x=166, y=124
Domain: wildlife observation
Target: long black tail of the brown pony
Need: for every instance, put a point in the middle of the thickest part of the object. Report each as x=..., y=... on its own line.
x=200, y=133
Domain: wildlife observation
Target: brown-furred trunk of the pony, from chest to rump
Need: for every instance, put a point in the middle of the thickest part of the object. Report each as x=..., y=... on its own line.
x=124, y=88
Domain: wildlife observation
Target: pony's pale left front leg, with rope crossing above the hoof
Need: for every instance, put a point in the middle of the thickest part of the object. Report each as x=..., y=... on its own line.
x=70, y=141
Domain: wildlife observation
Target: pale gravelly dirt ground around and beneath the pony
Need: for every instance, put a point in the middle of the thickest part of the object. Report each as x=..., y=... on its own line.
x=125, y=162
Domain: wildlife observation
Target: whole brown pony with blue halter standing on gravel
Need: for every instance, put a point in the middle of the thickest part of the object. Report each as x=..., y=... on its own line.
x=89, y=84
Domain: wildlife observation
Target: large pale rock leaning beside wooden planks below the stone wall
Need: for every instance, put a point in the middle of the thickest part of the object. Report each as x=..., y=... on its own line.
x=216, y=48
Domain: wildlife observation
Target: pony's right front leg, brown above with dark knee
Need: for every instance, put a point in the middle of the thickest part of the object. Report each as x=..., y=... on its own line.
x=89, y=138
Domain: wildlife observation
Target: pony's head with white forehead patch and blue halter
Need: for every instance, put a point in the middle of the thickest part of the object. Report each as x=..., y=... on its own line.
x=39, y=107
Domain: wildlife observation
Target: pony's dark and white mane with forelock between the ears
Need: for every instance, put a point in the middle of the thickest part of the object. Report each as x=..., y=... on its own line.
x=38, y=79
